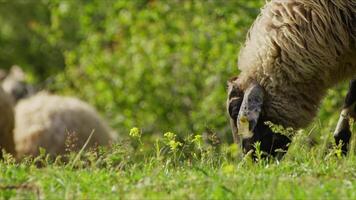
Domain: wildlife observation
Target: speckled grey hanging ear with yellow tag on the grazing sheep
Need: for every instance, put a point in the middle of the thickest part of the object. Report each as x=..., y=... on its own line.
x=251, y=106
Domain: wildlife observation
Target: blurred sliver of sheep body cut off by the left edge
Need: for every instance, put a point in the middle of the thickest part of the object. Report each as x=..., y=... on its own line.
x=6, y=123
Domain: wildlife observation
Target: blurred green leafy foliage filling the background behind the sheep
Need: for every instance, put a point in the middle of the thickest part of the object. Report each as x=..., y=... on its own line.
x=158, y=65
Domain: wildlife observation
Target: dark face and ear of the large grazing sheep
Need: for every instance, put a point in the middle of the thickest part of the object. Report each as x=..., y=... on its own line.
x=248, y=123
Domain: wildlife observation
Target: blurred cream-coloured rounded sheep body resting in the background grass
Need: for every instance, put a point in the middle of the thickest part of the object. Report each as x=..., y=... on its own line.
x=45, y=120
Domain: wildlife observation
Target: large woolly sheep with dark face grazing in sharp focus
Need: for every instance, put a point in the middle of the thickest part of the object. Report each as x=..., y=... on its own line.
x=294, y=52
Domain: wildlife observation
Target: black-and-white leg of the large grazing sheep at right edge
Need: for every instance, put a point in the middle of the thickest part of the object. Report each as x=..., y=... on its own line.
x=342, y=132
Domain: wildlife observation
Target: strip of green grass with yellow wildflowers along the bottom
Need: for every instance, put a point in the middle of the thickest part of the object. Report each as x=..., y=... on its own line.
x=188, y=169
